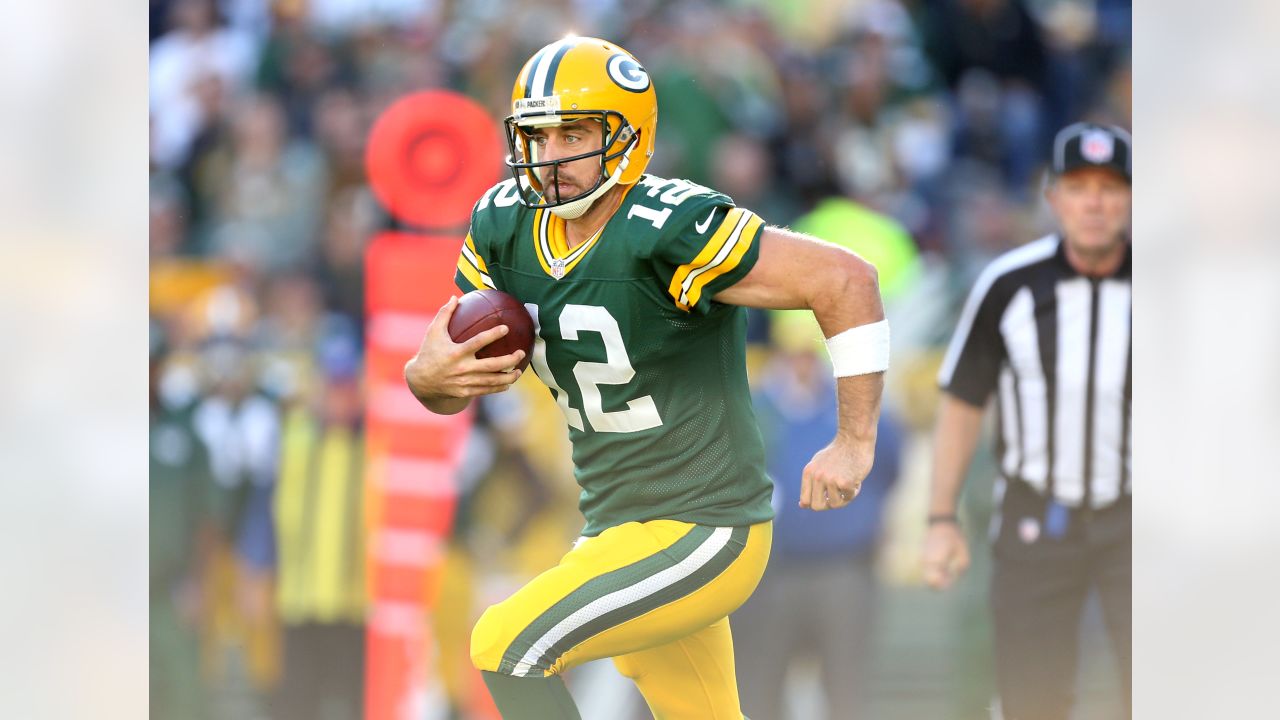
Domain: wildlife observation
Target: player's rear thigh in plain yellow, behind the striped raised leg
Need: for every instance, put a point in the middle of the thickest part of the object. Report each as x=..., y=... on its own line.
x=691, y=678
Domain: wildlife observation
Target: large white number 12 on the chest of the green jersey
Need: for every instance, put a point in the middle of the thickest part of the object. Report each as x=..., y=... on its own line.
x=641, y=414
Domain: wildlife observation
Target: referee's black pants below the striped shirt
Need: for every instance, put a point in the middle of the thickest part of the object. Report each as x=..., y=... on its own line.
x=1046, y=563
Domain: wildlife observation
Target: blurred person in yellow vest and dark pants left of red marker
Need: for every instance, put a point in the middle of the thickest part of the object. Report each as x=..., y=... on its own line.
x=321, y=532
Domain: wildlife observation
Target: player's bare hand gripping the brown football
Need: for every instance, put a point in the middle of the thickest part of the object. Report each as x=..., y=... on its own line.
x=445, y=372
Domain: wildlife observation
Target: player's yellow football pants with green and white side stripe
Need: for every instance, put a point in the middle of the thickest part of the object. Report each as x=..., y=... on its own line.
x=653, y=596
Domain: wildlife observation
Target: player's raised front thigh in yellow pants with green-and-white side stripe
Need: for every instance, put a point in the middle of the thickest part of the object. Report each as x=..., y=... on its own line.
x=633, y=587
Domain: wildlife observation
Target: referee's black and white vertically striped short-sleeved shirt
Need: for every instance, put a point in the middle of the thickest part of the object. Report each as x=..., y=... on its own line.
x=1057, y=348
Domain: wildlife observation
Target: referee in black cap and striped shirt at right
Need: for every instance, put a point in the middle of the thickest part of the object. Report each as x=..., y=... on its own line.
x=1048, y=329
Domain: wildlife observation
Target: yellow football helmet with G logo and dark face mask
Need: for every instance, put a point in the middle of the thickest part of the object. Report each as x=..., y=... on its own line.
x=572, y=80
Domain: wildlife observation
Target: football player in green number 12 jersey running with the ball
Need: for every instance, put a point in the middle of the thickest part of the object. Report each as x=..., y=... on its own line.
x=637, y=286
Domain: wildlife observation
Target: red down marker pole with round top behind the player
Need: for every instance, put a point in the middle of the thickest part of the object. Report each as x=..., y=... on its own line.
x=431, y=156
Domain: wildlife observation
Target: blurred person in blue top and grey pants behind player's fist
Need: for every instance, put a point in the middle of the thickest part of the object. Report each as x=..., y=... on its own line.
x=819, y=598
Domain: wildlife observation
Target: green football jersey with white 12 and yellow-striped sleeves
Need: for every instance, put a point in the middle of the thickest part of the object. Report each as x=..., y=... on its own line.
x=650, y=372
